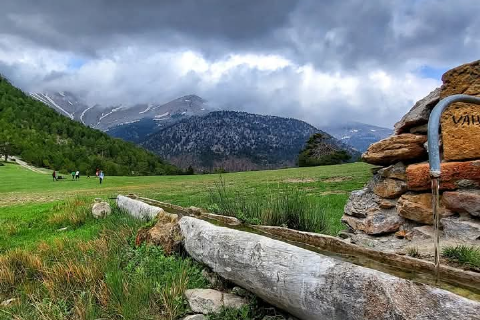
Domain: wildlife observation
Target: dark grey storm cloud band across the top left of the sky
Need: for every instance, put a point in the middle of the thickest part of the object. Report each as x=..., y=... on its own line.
x=90, y=26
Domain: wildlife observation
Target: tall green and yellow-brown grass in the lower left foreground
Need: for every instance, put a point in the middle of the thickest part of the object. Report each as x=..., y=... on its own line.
x=106, y=277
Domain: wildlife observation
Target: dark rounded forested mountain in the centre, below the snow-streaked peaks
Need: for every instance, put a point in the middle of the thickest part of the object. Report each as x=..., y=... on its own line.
x=233, y=141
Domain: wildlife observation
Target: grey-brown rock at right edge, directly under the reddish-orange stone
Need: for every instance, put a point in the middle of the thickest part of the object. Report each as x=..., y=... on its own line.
x=463, y=201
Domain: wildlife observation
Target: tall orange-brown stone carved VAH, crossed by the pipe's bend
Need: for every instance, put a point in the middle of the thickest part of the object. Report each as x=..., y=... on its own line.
x=461, y=122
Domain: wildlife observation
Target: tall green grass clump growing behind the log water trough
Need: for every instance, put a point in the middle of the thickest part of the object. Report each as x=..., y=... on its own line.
x=288, y=207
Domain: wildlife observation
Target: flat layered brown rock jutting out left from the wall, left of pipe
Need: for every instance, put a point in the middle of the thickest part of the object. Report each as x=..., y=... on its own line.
x=403, y=147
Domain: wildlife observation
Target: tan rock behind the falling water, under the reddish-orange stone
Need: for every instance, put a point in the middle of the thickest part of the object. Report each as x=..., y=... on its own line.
x=418, y=207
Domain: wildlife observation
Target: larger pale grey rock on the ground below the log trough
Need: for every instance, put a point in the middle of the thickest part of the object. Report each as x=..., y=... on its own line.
x=212, y=301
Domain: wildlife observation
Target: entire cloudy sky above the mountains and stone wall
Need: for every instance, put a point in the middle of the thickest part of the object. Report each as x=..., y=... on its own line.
x=325, y=62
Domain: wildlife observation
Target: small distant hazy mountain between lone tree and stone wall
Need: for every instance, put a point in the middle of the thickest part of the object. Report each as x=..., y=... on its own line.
x=358, y=135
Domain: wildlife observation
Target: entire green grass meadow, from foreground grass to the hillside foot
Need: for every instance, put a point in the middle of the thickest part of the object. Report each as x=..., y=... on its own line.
x=47, y=235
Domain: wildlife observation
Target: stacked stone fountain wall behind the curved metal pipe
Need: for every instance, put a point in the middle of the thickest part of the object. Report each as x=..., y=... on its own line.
x=397, y=200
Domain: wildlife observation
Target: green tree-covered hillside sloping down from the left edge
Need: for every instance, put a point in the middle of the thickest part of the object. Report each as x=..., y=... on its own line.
x=41, y=136
